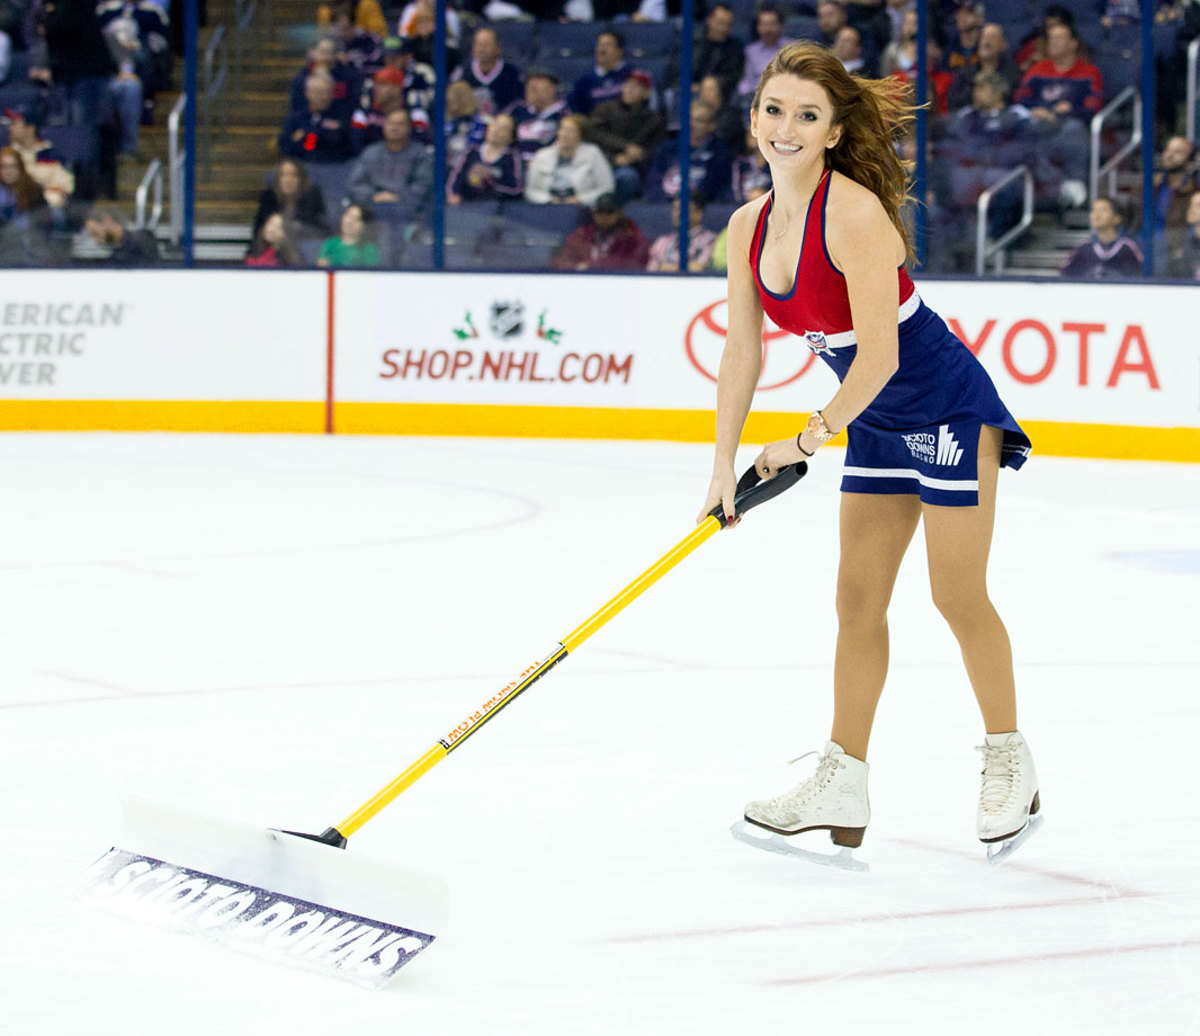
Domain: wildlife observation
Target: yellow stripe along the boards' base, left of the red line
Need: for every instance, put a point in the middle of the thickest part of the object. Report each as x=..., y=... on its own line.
x=166, y=416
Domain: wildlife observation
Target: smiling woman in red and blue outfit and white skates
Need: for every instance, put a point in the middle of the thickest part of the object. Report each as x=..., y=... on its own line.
x=823, y=255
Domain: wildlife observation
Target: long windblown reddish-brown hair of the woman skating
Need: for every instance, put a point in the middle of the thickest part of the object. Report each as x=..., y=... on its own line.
x=874, y=116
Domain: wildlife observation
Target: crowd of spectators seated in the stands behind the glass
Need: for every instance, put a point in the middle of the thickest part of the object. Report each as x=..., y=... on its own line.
x=572, y=109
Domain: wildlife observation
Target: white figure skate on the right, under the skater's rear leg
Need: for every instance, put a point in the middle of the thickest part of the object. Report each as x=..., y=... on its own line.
x=1009, y=794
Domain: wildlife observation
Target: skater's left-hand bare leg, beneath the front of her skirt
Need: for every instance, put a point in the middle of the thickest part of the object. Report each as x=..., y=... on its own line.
x=877, y=531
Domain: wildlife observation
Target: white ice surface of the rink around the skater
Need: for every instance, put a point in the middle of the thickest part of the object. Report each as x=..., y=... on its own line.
x=269, y=628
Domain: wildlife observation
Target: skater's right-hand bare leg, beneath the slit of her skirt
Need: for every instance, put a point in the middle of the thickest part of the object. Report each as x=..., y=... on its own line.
x=958, y=542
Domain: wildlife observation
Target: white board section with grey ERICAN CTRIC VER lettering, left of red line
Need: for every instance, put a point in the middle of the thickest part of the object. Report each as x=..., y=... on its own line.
x=207, y=349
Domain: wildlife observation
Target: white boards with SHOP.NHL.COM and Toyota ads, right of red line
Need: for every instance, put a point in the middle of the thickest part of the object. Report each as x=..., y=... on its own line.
x=1066, y=355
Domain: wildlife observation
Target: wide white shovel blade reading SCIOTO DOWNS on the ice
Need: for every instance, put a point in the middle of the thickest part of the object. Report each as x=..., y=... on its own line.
x=268, y=893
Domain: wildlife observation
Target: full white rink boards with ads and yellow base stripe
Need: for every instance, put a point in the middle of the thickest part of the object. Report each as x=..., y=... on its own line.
x=1090, y=370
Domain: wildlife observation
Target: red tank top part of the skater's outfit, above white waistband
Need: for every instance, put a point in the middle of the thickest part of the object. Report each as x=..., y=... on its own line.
x=818, y=301
